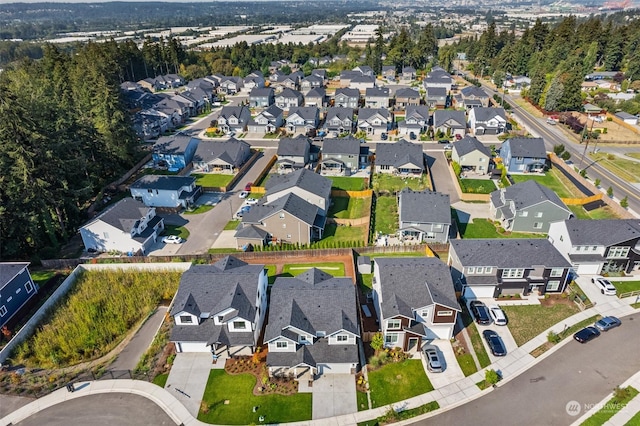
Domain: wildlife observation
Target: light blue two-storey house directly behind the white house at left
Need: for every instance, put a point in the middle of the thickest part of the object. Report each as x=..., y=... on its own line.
x=166, y=191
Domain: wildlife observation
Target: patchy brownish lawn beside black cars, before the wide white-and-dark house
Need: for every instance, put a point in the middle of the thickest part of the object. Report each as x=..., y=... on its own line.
x=528, y=321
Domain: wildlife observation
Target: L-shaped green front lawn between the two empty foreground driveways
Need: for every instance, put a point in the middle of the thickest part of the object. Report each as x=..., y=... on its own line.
x=238, y=391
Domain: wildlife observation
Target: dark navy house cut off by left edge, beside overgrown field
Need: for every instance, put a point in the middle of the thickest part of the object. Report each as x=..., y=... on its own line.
x=16, y=288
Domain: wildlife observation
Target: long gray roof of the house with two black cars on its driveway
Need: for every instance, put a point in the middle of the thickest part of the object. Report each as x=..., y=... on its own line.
x=508, y=253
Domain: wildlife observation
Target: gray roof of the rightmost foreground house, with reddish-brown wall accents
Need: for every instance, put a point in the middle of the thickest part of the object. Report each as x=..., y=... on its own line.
x=414, y=282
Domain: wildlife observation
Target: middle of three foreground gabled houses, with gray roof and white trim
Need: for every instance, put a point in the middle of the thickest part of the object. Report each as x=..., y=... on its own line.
x=313, y=326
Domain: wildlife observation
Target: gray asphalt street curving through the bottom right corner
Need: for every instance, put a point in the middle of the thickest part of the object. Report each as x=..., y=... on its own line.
x=583, y=373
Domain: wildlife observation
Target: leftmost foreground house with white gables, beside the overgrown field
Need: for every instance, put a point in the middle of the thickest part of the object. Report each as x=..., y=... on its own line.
x=220, y=308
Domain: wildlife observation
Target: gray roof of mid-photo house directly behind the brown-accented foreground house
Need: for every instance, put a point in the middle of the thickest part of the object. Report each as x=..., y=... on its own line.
x=424, y=207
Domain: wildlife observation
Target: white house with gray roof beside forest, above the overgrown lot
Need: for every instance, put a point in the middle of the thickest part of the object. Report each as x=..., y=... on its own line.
x=126, y=227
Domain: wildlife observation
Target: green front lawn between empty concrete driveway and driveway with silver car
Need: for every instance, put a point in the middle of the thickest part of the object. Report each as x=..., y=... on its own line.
x=398, y=381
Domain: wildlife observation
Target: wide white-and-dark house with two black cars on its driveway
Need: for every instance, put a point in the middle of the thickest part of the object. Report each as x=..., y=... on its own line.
x=487, y=268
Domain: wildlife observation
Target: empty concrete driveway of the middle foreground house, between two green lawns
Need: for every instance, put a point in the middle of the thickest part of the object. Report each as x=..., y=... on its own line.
x=333, y=395
